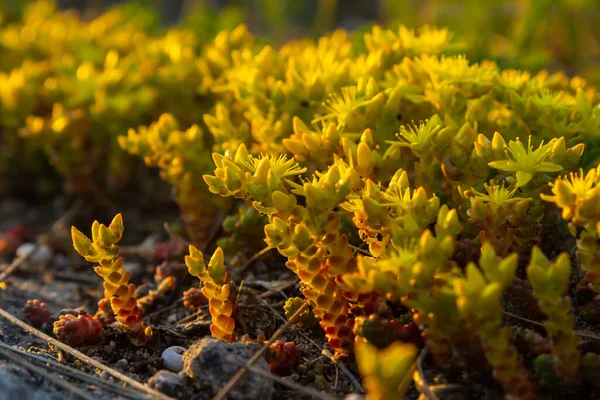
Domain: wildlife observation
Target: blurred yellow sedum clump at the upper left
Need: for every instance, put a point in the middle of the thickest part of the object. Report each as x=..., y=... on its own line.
x=72, y=87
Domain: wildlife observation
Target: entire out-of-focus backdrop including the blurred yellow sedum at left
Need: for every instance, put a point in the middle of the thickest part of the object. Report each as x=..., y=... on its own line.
x=75, y=75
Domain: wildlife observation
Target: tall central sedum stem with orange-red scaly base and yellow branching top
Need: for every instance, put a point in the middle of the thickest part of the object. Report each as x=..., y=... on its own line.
x=307, y=235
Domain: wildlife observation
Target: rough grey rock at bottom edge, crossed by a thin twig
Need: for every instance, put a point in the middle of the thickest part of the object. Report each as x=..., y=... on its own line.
x=211, y=363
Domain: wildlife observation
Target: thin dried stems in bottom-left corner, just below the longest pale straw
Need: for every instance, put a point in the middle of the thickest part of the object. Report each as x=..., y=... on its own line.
x=80, y=375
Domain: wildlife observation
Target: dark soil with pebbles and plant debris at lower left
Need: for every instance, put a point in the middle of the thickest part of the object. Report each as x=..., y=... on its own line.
x=68, y=284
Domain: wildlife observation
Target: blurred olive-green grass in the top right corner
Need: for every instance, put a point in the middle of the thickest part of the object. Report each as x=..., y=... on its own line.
x=529, y=34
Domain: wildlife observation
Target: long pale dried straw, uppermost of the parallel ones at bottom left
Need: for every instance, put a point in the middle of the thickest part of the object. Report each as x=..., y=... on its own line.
x=68, y=349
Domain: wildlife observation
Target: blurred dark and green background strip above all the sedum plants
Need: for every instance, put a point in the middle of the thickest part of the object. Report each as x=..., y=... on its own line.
x=526, y=34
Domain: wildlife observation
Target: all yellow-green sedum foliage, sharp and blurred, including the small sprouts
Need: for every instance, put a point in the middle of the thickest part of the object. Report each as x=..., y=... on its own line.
x=424, y=152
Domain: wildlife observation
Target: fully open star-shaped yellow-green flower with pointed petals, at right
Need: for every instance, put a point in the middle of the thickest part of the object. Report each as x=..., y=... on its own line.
x=526, y=162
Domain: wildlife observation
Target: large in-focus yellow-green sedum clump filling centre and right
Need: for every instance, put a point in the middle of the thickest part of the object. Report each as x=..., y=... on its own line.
x=425, y=154
